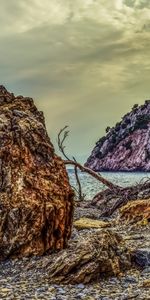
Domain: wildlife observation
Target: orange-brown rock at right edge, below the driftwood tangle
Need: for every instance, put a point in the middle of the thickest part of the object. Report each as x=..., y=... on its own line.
x=137, y=211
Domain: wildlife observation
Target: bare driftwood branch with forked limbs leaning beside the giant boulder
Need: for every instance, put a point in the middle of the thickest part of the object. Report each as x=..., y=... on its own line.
x=109, y=200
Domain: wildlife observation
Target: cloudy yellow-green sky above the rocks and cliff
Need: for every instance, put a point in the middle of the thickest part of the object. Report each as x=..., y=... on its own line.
x=85, y=62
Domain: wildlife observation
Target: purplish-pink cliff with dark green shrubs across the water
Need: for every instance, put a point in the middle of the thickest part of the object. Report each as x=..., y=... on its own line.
x=126, y=147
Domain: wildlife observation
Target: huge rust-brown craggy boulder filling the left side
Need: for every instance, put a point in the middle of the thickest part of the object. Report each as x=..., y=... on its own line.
x=36, y=200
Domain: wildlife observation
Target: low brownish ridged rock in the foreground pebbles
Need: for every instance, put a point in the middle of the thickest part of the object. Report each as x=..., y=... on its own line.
x=102, y=253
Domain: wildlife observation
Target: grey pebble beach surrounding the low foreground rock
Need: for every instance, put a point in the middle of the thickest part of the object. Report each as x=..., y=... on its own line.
x=28, y=278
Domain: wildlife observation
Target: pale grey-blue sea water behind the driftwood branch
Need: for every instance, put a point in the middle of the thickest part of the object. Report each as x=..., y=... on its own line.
x=91, y=186
